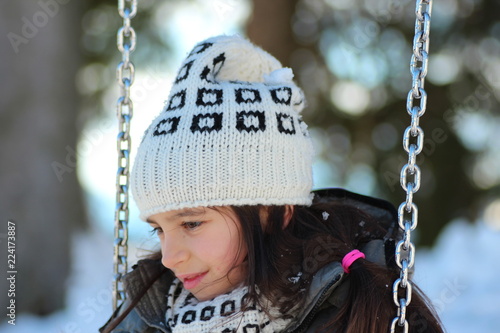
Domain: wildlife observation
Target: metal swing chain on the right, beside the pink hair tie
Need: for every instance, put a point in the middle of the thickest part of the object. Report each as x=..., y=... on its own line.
x=413, y=142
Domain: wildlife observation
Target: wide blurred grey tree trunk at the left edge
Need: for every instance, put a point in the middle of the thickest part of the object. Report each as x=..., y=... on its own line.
x=38, y=130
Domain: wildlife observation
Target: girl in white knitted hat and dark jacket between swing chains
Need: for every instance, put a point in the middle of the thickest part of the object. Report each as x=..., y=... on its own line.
x=223, y=177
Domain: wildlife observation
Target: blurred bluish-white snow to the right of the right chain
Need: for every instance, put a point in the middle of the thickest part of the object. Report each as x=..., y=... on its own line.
x=461, y=276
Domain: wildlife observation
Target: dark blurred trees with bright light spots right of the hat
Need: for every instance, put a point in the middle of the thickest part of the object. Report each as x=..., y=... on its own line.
x=352, y=59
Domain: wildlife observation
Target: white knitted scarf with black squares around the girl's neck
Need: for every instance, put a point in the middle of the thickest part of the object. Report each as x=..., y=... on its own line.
x=185, y=314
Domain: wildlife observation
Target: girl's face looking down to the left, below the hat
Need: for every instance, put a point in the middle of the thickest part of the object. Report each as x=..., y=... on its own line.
x=201, y=246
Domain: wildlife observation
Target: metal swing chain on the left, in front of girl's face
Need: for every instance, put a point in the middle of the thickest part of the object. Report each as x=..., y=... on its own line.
x=126, y=41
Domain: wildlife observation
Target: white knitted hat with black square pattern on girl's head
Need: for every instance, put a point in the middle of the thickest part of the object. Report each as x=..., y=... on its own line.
x=230, y=134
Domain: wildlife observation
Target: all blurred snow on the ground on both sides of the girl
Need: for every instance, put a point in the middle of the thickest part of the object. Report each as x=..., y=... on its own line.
x=460, y=275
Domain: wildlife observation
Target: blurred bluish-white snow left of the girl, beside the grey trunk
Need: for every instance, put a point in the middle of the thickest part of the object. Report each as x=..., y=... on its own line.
x=88, y=298
